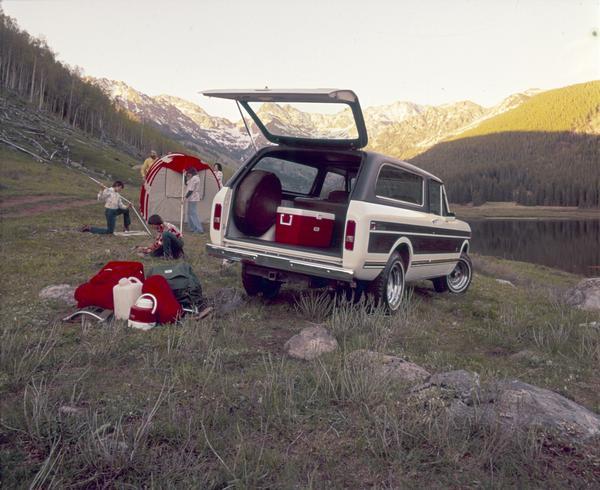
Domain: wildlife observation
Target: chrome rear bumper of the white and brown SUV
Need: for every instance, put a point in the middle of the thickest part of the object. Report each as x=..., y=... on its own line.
x=281, y=263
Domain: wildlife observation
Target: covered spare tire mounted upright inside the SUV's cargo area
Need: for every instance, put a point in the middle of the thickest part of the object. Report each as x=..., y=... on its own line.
x=255, y=203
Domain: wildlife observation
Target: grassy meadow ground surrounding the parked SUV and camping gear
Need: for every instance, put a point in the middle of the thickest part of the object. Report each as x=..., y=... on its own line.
x=216, y=403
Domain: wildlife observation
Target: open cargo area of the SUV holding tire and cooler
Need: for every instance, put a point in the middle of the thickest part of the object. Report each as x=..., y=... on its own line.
x=294, y=199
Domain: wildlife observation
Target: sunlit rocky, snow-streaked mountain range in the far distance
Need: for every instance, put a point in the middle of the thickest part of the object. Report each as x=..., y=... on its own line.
x=402, y=129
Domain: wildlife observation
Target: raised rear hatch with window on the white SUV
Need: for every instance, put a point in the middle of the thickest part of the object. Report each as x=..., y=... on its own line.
x=318, y=118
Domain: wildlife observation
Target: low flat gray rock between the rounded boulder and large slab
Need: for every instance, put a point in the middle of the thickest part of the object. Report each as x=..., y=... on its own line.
x=389, y=367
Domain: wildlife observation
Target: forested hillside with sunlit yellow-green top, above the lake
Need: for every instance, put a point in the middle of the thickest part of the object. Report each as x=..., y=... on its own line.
x=544, y=152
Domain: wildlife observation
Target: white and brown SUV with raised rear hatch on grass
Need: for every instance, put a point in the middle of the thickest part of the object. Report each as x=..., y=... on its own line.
x=314, y=207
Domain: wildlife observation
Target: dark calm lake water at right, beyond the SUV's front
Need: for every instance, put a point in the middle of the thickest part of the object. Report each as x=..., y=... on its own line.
x=570, y=245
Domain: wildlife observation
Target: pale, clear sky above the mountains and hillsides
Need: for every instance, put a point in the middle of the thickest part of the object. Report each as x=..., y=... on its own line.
x=424, y=51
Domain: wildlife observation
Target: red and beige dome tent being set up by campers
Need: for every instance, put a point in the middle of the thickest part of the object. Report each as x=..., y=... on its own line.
x=164, y=185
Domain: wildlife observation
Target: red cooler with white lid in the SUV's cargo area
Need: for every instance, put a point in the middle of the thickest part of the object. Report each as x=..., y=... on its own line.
x=304, y=227
